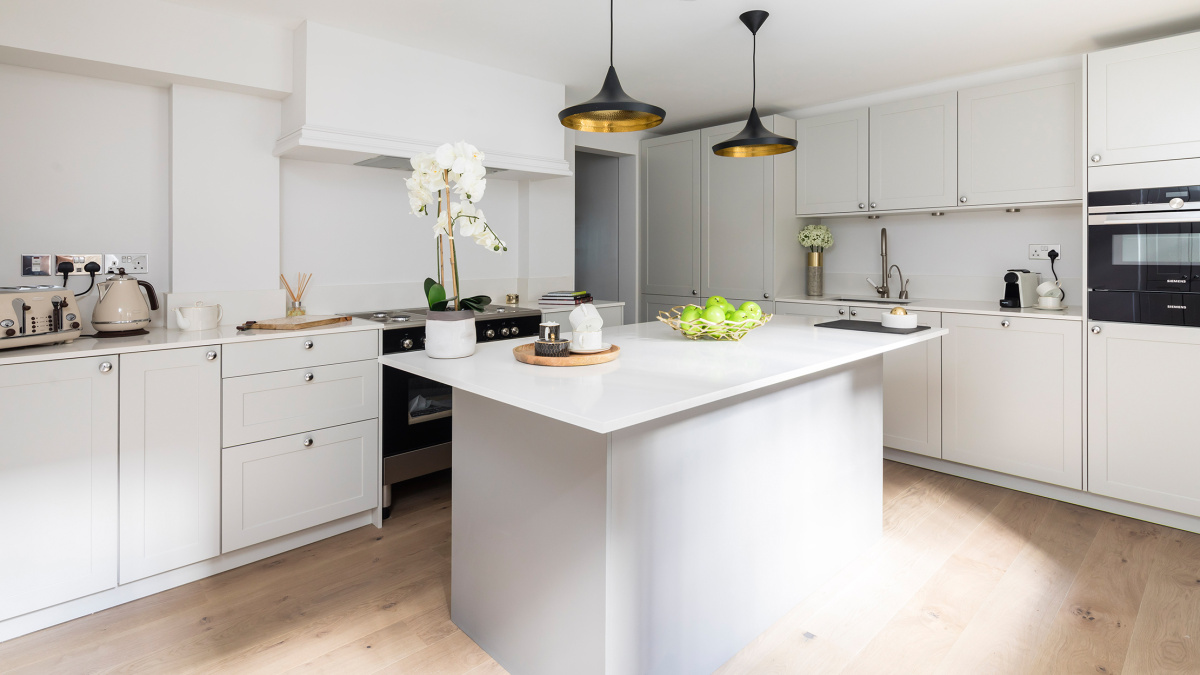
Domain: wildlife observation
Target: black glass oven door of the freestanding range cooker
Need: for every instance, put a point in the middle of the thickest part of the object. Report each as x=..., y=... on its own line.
x=417, y=413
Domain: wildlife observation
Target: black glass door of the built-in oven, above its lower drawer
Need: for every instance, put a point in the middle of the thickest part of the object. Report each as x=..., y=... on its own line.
x=1144, y=256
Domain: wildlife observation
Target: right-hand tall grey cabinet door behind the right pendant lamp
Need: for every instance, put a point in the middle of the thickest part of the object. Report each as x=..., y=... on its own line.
x=737, y=222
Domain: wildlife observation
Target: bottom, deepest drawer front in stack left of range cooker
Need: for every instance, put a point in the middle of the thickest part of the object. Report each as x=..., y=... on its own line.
x=279, y=487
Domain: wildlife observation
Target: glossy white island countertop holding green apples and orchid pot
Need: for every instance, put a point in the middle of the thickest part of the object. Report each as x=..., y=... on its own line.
x=659, y=373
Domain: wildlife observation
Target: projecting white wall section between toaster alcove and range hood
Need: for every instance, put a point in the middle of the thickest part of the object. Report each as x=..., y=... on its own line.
x=225, y=189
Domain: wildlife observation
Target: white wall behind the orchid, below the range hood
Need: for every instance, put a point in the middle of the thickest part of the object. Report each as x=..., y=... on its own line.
x=352, y=228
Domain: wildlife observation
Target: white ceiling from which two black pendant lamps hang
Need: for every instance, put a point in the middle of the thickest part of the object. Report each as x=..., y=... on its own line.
x=693, y=57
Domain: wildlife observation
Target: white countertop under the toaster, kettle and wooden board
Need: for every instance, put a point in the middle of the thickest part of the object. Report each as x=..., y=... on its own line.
x=159, y=338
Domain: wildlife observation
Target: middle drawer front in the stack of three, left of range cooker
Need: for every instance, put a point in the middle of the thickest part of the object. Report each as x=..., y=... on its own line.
x=265, y=407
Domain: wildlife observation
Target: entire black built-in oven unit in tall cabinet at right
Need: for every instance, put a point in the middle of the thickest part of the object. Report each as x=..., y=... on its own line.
x=1144, y=256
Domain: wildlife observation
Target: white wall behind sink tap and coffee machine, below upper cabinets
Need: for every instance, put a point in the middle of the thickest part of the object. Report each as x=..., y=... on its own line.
x=961, y=256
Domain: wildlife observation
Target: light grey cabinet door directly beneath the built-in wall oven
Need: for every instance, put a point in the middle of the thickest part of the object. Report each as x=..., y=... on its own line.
x=1142, y=431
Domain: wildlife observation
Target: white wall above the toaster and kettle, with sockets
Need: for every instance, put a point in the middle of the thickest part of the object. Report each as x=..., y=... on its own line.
x=83, y=170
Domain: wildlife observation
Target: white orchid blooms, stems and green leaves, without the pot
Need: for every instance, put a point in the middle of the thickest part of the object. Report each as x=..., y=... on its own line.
x=453, y=170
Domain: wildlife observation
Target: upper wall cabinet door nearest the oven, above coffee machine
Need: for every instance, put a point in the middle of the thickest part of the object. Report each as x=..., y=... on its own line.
x=1022, y=141
